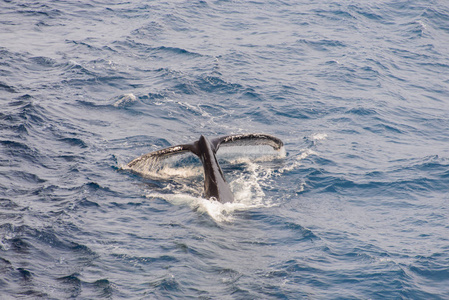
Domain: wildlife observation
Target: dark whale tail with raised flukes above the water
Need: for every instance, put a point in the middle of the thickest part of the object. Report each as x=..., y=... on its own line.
x=215, y=185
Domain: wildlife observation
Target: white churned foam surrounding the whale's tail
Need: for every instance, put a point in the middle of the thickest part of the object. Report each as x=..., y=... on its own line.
x=247, y=185
